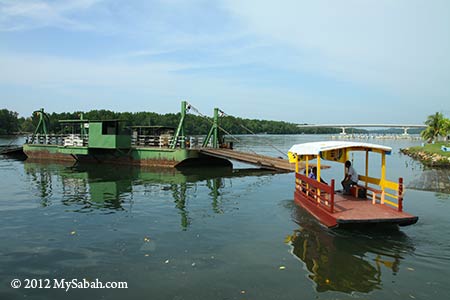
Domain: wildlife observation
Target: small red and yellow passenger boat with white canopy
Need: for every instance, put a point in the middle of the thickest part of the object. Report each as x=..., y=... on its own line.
x=380, y=201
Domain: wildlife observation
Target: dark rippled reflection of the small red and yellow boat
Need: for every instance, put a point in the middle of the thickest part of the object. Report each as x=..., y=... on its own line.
x=347, y=261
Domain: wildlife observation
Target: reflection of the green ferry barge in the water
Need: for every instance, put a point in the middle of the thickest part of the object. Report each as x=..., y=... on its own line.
x=110, y=188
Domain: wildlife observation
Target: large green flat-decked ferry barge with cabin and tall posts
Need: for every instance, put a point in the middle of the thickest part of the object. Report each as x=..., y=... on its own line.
x=109, y=141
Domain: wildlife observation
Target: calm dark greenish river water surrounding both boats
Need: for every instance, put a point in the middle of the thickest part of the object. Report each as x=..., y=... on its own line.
x=213, y=234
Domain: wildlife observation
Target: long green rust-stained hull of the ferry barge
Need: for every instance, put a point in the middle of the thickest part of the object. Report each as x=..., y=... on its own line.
x=144, y=156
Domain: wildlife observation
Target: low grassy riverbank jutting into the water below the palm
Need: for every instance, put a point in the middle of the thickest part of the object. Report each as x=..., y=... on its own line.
x=431, y=155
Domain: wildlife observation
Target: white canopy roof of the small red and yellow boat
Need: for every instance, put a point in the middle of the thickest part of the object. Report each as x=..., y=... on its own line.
x=315, y=148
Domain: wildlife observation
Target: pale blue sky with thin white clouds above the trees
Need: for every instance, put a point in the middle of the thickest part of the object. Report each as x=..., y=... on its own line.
x=335, y=61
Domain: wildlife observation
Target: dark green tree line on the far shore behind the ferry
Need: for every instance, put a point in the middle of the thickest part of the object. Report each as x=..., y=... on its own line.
x=11, y=123
